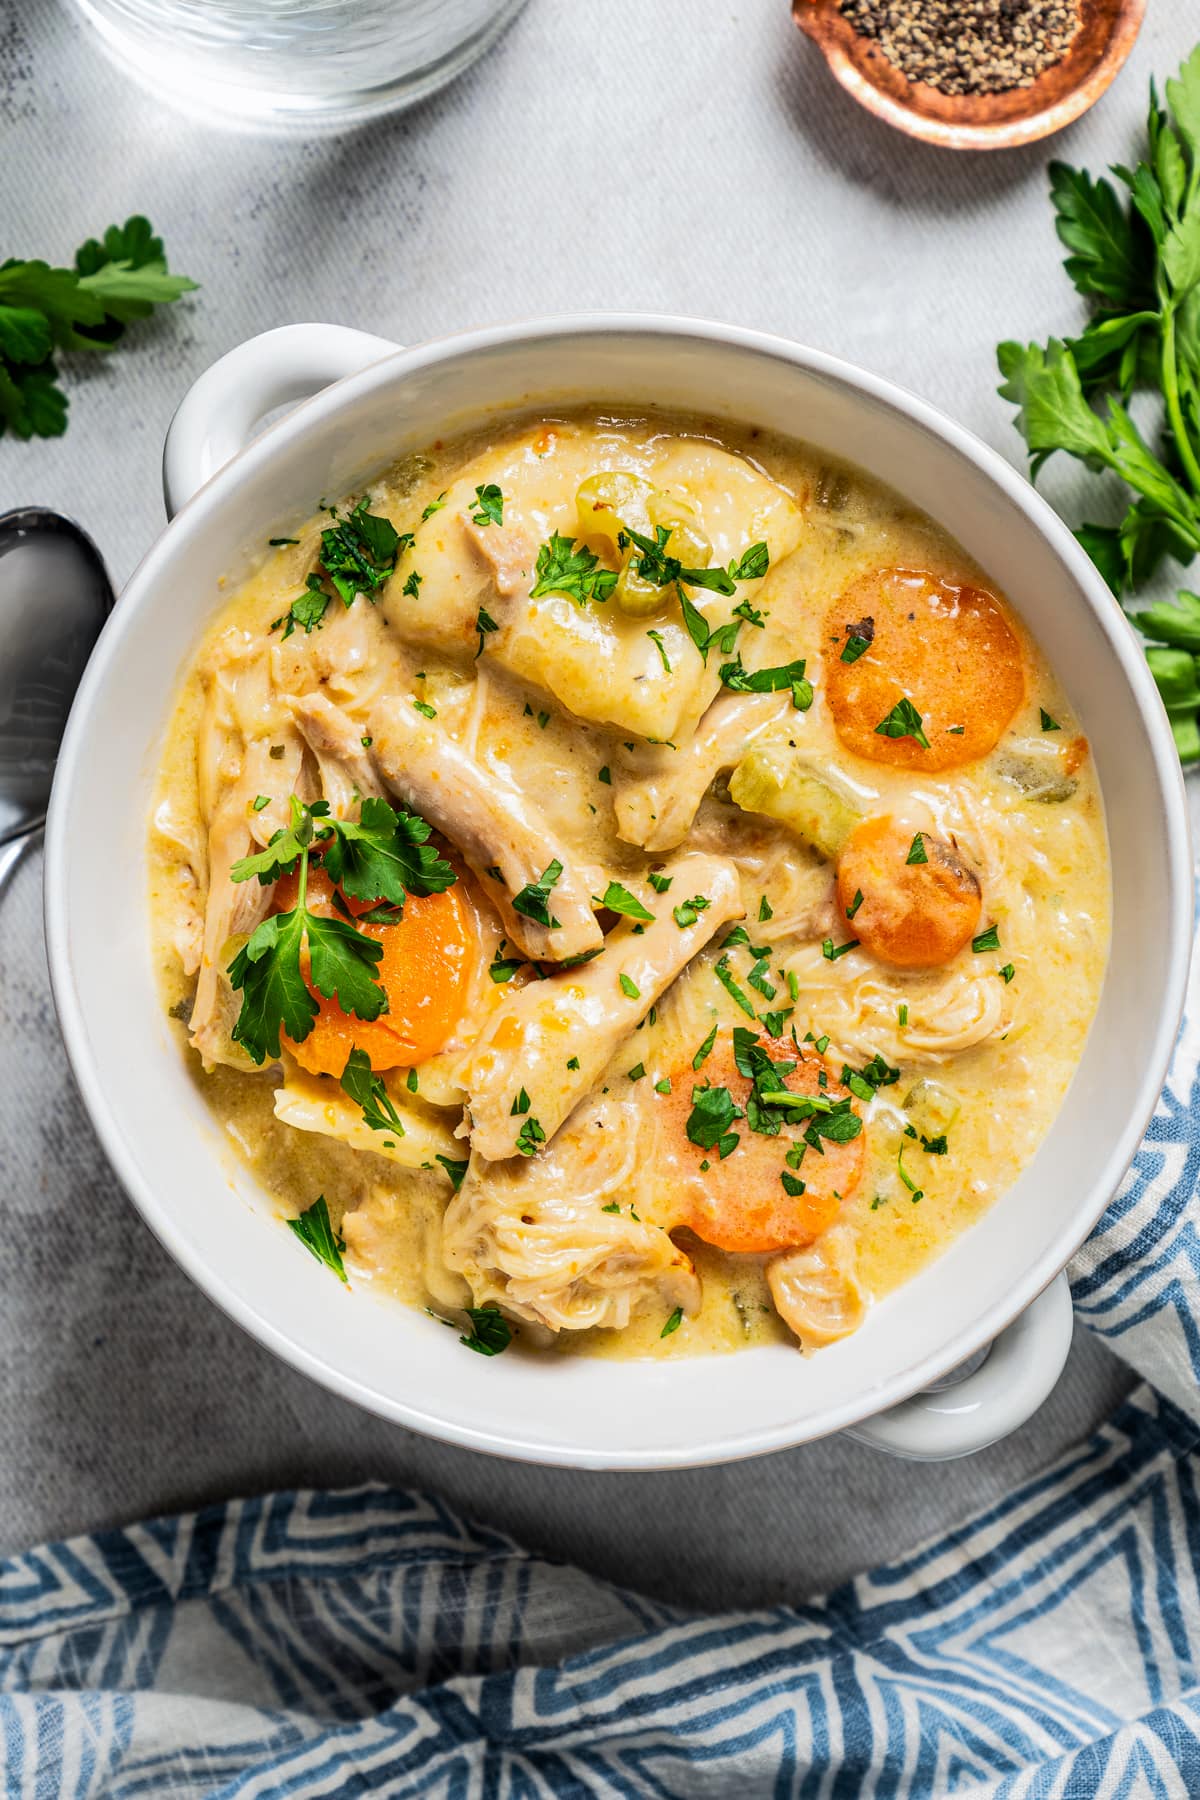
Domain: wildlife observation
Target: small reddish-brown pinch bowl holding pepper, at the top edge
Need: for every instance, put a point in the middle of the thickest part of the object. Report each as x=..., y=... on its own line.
x=978, y=121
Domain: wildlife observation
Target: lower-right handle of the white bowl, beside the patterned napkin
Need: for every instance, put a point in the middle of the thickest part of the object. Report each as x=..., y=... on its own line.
x=990, y=1399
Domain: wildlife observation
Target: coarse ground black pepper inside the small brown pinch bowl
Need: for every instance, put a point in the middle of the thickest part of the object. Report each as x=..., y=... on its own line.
x=969, y=46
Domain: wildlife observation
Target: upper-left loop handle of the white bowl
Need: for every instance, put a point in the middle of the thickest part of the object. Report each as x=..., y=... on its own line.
x=222, y=411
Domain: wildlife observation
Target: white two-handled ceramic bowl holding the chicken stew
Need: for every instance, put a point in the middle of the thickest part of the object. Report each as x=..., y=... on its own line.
x=156, y=1126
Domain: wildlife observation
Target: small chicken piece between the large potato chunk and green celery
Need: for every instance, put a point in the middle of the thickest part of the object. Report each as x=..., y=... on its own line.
x=659, y=787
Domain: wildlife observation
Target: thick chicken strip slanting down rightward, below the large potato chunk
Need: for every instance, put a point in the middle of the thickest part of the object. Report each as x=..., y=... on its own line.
x=492, y=823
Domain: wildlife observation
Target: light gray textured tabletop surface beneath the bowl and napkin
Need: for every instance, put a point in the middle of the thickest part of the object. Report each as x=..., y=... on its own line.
x=604, y=156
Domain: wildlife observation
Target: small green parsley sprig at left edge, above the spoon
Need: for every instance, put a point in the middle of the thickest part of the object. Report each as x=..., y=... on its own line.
x=116, y=282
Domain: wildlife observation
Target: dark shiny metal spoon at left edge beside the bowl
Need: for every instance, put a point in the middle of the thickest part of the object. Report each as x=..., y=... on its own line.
x=55, y=597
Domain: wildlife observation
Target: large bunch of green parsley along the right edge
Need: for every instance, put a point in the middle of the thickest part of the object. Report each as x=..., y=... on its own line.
x=1134, y=255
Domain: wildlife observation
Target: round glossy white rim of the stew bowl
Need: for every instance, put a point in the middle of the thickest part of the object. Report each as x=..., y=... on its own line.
x=318, y=415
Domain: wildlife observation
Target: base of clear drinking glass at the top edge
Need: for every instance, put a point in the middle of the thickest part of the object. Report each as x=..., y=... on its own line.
x=303, y=64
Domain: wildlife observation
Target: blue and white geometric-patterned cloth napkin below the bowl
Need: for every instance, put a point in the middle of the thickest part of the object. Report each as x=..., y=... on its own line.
x=370, y=1642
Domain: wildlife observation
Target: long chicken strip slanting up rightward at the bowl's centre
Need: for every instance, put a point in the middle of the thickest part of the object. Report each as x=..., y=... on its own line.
x=586, y=1014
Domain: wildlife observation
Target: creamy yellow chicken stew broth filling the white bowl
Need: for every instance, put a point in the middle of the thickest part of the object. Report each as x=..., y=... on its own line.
x=965, y=1063
